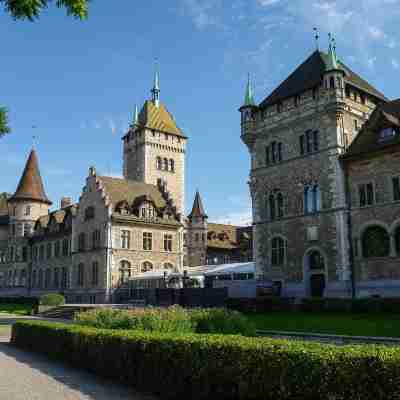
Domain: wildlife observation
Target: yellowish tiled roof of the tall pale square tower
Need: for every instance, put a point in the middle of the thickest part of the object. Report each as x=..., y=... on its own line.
x=158, y=118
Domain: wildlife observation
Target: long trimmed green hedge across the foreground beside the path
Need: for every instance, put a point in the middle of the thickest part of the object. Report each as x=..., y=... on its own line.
x=195, y=366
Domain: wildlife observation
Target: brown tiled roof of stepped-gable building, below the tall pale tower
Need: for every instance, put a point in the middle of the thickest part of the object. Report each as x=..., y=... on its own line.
x=120, y=190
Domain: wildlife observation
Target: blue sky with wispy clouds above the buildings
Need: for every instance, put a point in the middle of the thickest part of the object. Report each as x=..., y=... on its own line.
x=78, y=82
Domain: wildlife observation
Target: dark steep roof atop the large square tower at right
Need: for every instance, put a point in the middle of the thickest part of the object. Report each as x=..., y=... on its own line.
x=309, y=75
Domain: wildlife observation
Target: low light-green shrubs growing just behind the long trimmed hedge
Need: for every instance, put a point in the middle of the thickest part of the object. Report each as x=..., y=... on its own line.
x=171, y=319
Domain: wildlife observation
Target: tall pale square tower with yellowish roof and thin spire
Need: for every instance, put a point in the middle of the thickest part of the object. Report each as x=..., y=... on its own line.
x=154, y=149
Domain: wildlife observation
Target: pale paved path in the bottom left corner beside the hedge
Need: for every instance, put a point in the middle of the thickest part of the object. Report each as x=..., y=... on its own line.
x=30, y=376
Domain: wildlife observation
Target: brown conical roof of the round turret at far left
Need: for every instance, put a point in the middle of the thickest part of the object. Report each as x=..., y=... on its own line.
x=30, y=186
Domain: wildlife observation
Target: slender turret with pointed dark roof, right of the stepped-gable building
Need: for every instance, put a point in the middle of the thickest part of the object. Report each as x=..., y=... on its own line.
x=197, y=234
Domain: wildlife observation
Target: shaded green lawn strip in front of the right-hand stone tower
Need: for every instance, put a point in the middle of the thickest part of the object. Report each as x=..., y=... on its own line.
x=340, y=324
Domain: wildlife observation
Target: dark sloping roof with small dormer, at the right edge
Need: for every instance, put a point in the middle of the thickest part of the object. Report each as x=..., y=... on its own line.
x=367, y=140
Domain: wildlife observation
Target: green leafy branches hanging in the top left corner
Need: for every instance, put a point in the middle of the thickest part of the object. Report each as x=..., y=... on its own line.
x=31, y=9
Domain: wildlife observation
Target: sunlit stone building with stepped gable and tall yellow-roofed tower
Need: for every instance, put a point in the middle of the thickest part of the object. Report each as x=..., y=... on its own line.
x=119, y=226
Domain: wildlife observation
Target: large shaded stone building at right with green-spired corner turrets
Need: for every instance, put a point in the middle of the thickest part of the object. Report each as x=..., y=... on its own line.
x=298, y=139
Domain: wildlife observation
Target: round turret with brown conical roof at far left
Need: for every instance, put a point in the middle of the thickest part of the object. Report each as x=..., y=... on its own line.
x=30, y=201
